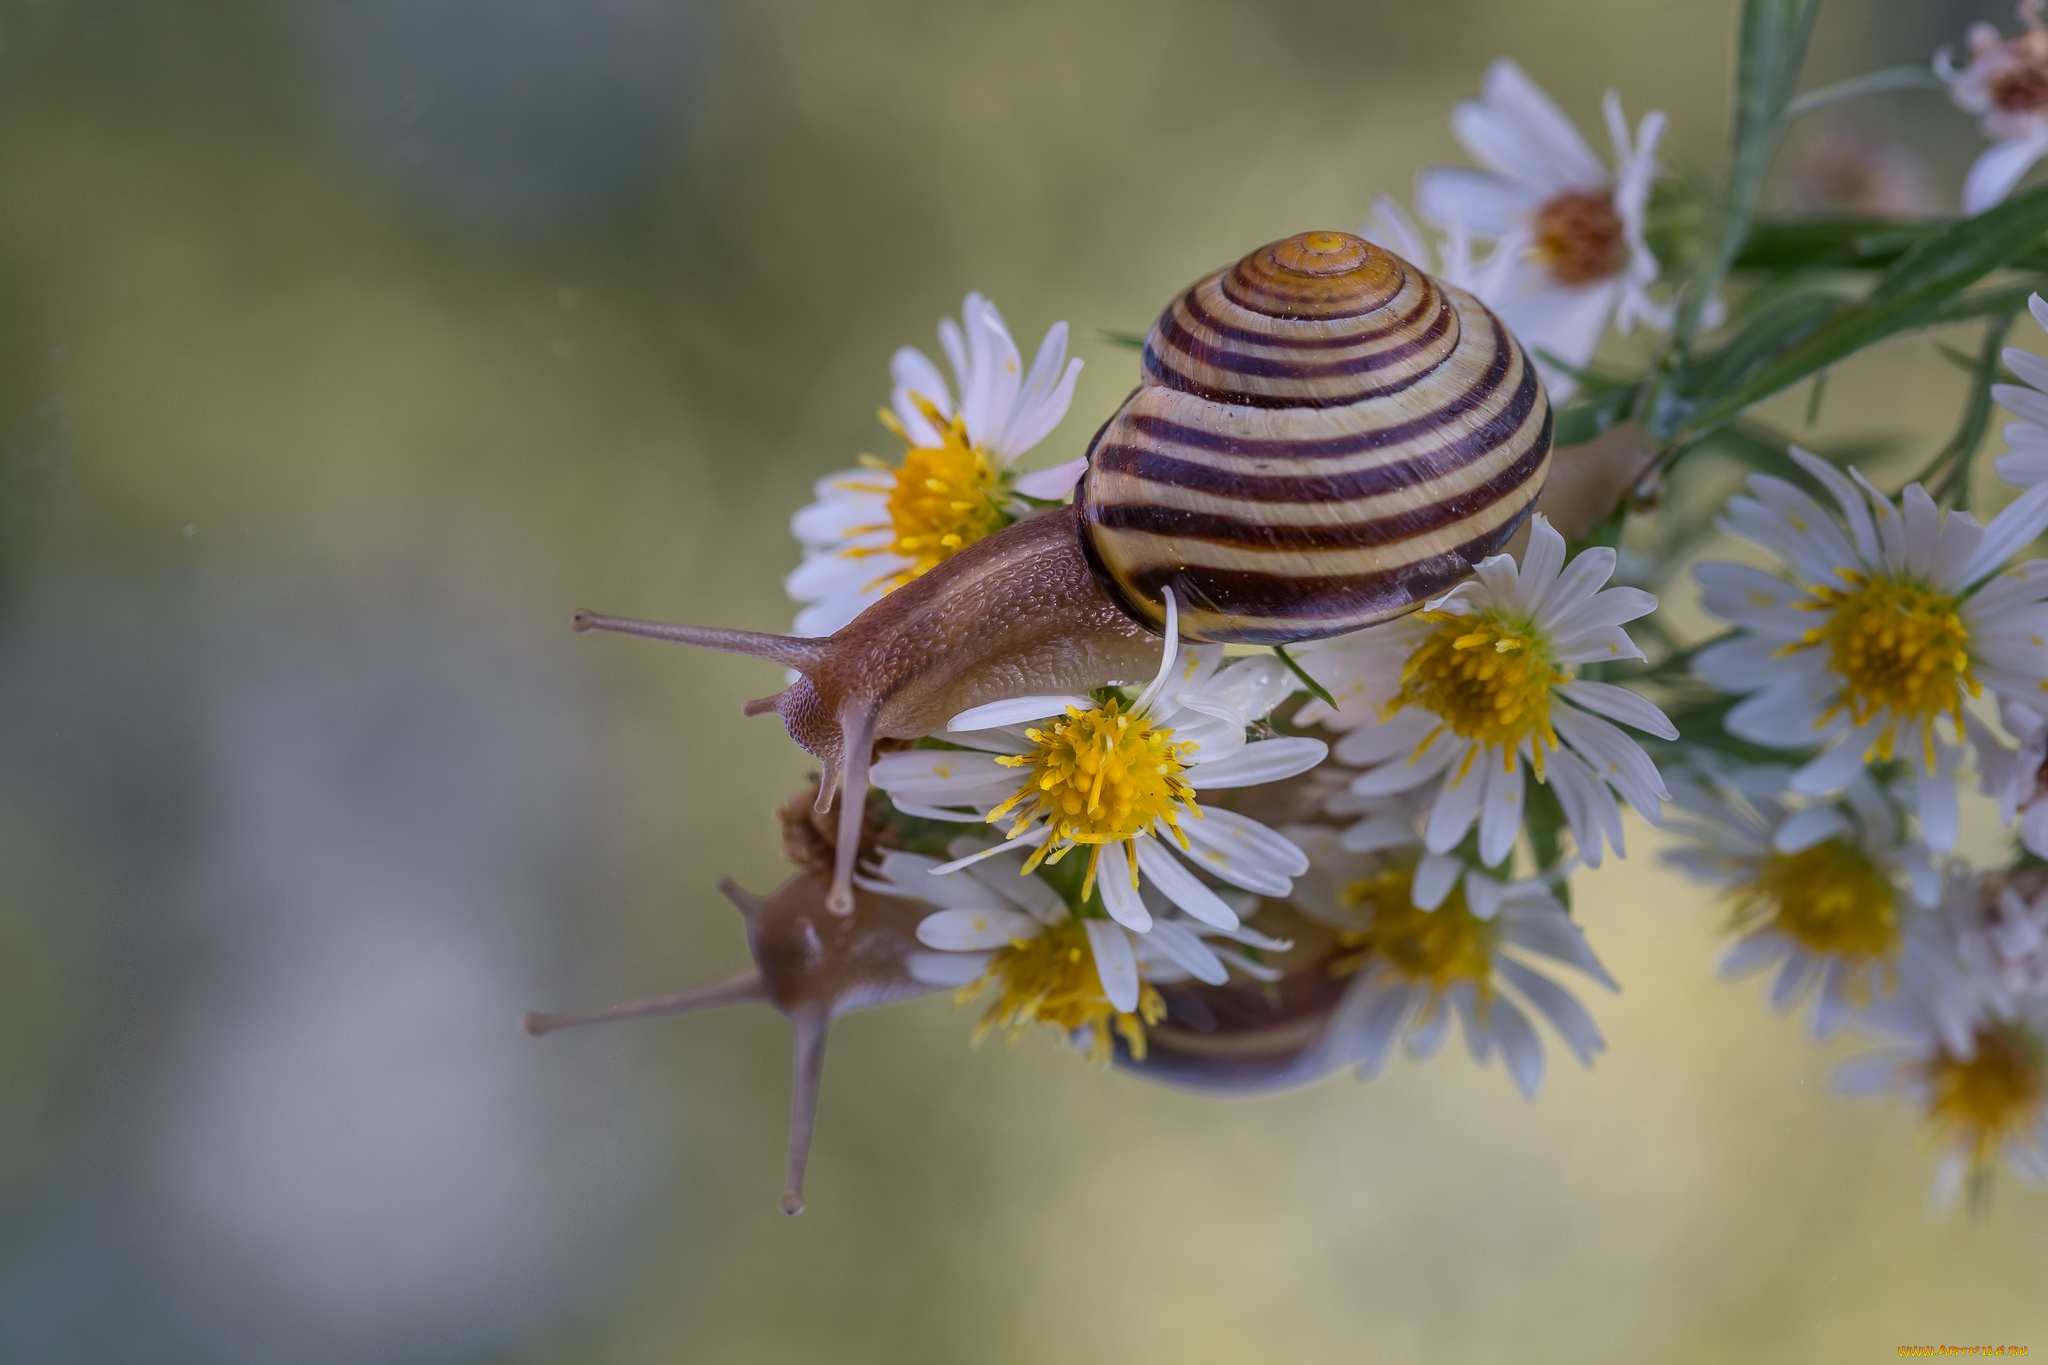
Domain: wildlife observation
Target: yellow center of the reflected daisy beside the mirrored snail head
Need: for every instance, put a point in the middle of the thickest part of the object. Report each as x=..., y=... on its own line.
x=1052, y=979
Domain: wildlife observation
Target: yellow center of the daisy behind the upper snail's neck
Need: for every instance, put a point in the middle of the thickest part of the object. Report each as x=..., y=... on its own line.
x=943, y=498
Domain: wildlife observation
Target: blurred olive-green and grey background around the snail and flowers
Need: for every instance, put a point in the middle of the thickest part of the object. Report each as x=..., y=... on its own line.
x=349, y=345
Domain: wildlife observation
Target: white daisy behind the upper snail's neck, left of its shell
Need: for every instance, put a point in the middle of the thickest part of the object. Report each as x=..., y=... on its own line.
x=880, y=527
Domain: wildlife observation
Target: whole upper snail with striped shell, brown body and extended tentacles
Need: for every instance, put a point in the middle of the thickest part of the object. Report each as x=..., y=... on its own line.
x=1324, y=439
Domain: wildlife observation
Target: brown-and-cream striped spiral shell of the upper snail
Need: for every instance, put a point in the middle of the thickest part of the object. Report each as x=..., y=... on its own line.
x=1324, y=439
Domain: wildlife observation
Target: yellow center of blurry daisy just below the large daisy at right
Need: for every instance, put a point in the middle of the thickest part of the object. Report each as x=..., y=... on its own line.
x=1832, y=899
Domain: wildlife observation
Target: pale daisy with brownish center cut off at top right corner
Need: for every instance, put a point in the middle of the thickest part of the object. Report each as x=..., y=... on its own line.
x=2006, y=89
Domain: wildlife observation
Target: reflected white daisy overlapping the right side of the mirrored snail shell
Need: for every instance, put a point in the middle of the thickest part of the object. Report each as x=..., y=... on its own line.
x=1433, y=942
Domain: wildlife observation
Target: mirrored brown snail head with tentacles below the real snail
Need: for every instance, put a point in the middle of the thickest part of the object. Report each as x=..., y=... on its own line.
x=808, y=965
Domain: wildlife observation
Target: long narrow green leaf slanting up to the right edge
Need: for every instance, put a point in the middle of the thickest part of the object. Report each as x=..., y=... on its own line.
x=1908, y=296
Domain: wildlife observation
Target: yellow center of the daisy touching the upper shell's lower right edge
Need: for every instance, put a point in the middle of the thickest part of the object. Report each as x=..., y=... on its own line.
x=1488, y=678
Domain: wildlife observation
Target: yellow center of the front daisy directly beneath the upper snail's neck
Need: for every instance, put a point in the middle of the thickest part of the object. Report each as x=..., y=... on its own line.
x=1099, y=777
